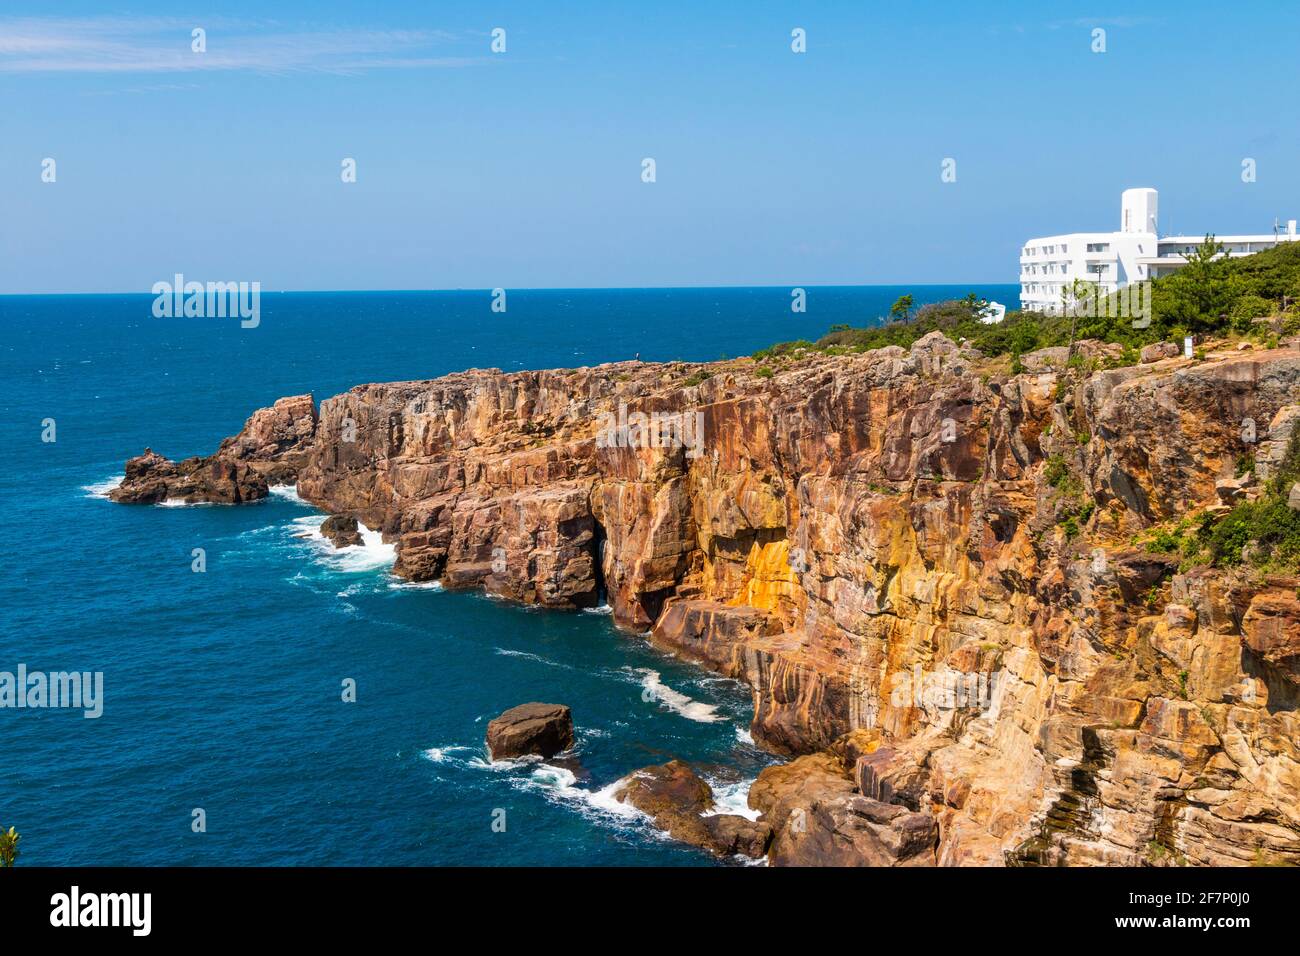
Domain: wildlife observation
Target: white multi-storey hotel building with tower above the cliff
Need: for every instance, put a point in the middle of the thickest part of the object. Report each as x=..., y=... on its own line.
x=1113, y=261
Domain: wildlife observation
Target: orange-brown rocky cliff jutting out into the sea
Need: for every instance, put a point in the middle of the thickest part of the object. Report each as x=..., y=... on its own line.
x=925, y=566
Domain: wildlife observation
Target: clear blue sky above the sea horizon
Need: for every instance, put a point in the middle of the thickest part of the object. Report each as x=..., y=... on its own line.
x=523, y=170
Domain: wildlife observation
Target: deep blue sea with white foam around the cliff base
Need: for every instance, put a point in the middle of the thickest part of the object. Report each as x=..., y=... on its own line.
x=223, y=690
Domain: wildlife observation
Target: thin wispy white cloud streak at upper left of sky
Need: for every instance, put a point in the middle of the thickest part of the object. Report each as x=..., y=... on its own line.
x=158, y=45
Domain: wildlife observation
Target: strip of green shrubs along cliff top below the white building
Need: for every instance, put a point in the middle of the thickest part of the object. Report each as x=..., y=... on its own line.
x=1215, y=297
